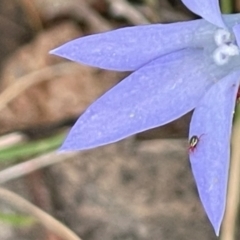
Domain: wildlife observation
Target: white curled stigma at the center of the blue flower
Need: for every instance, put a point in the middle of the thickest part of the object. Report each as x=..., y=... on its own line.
x=226, y=47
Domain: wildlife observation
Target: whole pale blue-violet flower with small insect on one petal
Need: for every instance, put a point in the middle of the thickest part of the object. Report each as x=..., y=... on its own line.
x=176, y=68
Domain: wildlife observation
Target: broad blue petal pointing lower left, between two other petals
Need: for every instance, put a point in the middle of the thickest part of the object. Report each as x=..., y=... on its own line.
x=156, y=94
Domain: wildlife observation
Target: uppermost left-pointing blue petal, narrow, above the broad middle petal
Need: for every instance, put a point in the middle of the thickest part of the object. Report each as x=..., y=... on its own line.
x=130, y=48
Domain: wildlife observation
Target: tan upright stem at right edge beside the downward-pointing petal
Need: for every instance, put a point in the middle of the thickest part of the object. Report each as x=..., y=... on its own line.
x=231, y=214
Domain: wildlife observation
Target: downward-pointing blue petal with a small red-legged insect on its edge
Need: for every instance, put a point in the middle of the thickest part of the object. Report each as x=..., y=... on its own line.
x=212, y=123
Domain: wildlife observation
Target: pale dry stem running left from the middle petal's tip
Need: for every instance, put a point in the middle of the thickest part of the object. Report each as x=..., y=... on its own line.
x=34, y=164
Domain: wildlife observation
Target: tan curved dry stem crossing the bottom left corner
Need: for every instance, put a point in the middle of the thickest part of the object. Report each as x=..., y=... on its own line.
x=45, y=219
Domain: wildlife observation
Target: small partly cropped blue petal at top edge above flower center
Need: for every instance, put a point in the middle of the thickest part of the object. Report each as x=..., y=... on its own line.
x=207, y=9
